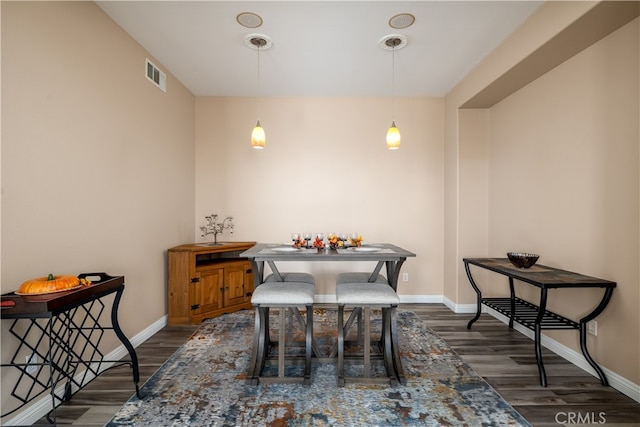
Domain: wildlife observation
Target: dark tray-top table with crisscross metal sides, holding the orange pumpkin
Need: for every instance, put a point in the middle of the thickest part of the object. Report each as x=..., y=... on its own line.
x=63, y=331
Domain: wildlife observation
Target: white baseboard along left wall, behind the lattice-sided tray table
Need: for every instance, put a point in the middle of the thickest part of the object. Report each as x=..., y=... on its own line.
x=39, y=408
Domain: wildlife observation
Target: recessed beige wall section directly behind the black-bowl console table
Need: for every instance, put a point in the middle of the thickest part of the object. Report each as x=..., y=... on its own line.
x=563, y=182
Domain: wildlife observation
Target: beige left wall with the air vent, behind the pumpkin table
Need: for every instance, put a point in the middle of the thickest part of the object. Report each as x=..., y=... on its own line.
x=97, y=163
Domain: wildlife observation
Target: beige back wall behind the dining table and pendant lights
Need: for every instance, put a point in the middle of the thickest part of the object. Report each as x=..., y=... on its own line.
x=326, y=168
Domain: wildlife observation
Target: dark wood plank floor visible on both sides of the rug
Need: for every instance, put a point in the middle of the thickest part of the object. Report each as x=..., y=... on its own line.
x=504, y=358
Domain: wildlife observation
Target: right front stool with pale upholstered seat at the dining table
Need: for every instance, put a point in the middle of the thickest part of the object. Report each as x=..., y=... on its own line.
x=368, y=295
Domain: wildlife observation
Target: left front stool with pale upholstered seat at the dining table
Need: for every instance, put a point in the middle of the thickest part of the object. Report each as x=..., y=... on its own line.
x=281, y=295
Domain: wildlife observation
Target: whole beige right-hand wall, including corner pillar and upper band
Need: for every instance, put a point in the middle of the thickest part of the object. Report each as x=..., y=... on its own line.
x=561, y=176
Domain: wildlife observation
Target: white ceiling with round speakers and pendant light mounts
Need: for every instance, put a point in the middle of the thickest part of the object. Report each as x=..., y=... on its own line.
x=320, y=48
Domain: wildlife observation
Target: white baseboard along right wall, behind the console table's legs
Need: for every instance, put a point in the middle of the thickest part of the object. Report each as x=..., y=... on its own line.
x=616, y=381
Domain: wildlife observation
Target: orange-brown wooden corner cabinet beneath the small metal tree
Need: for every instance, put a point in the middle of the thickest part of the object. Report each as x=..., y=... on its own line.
x=207, y=280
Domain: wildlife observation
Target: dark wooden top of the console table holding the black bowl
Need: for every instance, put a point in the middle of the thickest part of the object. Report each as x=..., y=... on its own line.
x=540, y=275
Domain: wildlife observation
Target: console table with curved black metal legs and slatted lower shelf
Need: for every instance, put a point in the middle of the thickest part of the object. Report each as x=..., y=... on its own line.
x=537, y=317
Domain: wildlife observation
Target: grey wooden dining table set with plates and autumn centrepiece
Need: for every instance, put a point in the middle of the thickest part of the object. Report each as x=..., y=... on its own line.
x=386, y=256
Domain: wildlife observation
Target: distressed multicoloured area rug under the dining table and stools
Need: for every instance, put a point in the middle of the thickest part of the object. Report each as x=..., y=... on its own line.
x=203, y=384
